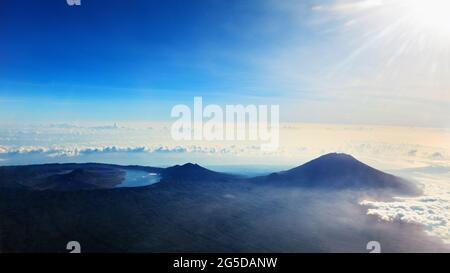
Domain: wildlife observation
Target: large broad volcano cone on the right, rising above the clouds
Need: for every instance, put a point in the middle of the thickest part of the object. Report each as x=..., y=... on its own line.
x=337, y=171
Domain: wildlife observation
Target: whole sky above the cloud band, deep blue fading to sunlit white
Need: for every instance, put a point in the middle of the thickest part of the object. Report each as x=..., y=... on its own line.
x=323, y=61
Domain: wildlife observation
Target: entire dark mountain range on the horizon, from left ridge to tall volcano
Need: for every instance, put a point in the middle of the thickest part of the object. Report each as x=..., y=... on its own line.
x=331, y=171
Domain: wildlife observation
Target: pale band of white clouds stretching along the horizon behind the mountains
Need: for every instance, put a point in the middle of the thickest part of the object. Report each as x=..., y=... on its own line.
x=383, y=147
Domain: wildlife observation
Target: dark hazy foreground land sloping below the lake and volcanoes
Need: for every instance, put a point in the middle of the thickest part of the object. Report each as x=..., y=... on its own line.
x=215, y=213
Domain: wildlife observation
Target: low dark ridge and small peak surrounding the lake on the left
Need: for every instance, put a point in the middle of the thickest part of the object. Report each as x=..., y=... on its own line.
x=90, y=176
